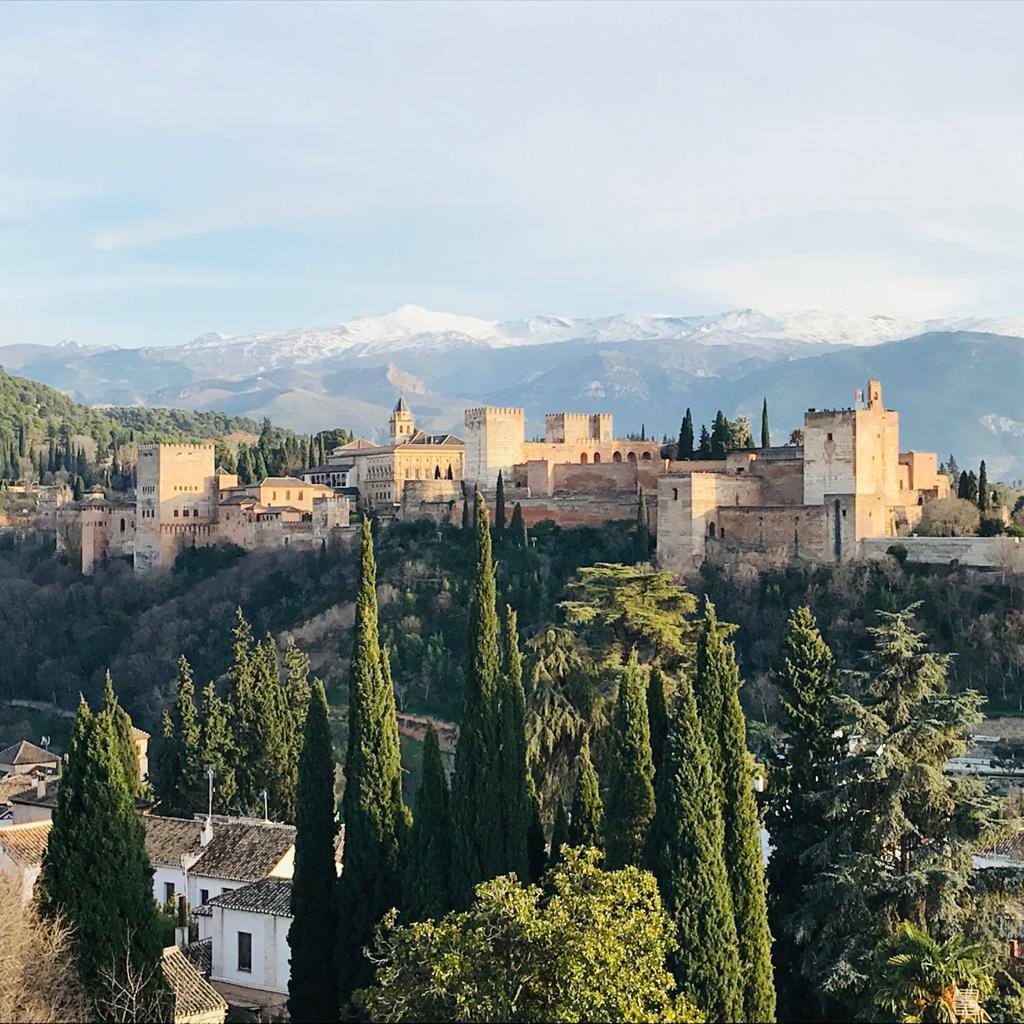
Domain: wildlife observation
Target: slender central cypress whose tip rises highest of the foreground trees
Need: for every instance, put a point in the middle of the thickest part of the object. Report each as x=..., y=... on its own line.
x=479, y=847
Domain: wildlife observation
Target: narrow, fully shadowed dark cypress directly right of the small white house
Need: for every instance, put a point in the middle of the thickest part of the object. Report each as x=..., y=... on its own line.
x=313, y=988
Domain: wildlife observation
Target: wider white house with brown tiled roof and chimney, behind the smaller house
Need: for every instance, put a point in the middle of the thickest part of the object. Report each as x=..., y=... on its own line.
x=203, y=860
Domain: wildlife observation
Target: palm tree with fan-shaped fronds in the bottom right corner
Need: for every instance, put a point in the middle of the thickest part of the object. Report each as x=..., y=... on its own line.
x=921, y=976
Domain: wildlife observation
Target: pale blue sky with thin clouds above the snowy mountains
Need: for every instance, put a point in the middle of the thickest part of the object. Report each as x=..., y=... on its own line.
x=173, y=169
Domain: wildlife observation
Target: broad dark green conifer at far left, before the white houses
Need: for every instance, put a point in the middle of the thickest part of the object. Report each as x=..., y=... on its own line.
x=96, y=873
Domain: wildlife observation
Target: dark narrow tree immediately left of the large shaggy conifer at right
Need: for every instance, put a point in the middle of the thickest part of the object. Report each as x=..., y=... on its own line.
x=808, y=687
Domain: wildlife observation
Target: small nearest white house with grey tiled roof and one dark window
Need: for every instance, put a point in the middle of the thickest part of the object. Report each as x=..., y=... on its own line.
x=248, y=932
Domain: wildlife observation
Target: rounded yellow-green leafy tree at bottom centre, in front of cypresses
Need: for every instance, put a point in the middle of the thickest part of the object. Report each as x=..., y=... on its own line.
x=590, y=946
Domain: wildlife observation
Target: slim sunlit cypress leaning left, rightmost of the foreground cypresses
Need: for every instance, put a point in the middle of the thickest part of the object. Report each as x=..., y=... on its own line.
x=723, y=717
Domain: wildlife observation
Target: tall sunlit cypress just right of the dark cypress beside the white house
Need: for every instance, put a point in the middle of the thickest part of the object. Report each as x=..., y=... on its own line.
x=374, y=814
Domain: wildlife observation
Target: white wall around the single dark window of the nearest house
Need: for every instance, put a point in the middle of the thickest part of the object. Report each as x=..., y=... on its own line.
x=270, y=950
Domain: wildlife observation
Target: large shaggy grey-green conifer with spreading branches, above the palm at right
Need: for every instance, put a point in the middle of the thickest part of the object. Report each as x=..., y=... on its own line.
x=902, y=833
